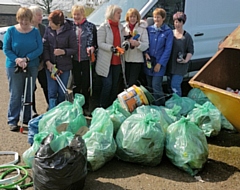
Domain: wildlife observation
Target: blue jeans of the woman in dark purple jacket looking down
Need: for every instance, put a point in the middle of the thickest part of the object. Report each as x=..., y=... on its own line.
x=54, y=90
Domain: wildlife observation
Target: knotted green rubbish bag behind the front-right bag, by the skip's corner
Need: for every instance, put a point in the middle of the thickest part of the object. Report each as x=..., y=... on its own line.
x=207, y=117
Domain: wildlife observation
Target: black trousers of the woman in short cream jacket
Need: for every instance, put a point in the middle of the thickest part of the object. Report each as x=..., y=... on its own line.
x=132, y=72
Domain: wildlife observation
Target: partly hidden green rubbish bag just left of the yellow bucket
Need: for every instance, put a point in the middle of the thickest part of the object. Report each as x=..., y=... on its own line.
x=117, y=114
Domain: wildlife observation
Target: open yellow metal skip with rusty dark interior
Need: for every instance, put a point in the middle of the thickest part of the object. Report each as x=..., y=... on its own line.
x=219, y=73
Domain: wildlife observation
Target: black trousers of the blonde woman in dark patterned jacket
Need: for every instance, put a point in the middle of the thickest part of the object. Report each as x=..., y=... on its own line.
x=81, y=78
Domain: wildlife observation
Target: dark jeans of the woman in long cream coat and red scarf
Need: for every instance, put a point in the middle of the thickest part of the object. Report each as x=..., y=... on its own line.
x=110, y=86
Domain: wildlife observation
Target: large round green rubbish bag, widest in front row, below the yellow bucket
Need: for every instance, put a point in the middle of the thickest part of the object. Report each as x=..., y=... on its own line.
x=140, y=139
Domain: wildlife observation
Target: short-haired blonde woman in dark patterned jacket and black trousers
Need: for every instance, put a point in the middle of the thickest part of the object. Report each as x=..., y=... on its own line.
x=87, y=43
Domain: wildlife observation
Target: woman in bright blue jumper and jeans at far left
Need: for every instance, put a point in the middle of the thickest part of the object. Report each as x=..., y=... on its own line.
x=22, y=47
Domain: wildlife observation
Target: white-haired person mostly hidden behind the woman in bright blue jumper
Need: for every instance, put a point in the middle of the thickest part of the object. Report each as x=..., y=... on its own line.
x=42, y=79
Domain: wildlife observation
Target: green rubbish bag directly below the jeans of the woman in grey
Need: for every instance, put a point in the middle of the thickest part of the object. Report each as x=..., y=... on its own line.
x=186, y=104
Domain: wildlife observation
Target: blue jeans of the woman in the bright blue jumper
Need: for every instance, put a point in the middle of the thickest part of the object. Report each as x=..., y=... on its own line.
x=16, y=89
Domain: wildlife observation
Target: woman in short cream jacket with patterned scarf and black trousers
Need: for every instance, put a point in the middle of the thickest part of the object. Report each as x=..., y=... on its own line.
x=134, y=55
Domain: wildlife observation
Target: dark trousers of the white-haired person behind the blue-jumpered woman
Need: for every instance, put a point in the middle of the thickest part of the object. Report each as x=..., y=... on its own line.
x=42, y=79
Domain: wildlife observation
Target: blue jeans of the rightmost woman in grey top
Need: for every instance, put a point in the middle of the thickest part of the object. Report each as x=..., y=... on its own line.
x=174, y=84
